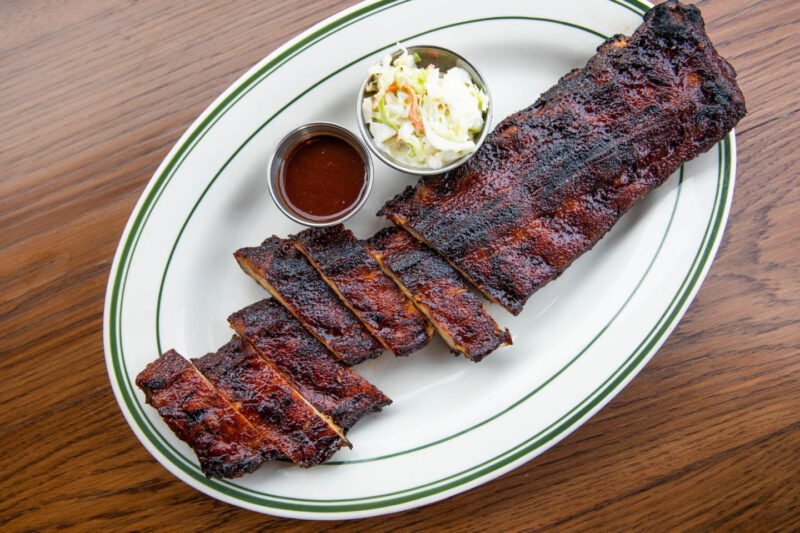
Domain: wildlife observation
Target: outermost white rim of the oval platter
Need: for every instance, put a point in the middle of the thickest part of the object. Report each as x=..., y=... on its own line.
x=685, y=294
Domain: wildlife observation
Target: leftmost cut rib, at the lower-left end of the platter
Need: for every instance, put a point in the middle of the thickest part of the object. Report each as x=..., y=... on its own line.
x=226, y=444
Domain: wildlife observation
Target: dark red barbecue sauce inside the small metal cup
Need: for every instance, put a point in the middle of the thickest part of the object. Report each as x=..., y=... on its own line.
x=322, y=178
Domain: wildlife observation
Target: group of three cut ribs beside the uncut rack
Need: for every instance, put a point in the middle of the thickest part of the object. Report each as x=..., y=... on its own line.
x=359, y=297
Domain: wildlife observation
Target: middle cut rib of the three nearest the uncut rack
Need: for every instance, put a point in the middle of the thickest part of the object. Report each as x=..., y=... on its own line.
x=344, y=263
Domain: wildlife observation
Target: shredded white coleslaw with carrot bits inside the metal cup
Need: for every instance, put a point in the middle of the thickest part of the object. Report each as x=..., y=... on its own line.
x=421, y=117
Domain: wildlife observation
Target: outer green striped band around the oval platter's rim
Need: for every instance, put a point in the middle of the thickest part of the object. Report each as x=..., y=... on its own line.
x=537, y=441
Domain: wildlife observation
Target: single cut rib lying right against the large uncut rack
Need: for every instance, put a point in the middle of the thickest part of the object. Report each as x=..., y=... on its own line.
x=439, y=292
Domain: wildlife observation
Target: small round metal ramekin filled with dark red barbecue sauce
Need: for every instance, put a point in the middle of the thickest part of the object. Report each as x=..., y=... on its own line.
x=320, y=174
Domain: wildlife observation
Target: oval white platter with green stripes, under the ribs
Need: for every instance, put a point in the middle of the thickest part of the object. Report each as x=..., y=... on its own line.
x=454, y=424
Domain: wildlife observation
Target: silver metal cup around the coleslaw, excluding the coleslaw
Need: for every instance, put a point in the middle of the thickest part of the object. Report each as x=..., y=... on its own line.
x=444, y=60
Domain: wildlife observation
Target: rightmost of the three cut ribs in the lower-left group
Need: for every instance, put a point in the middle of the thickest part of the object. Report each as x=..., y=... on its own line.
x=334, y=388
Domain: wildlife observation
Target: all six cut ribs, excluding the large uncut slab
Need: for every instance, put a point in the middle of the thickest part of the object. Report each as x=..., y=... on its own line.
x=283, y=387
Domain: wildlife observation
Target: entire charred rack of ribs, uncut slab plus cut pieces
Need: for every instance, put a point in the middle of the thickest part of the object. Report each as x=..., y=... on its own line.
x=545, y=186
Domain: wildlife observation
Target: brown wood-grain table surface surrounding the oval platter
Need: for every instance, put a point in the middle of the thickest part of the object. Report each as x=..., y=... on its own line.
x=94, y=94
